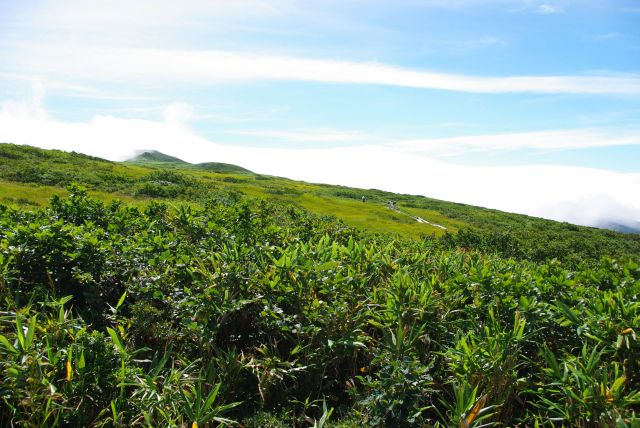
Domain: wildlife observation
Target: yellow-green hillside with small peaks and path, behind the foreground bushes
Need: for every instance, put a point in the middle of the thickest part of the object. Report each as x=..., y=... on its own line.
x=30, y=176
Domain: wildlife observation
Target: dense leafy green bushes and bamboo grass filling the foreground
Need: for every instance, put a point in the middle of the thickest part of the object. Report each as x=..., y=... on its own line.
x=266, y=315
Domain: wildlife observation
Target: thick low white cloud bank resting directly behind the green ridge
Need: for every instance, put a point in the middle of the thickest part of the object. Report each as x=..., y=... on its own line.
x=564, y=193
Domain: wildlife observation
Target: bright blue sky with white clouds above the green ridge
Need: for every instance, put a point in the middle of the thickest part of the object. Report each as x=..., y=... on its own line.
x=529, y=106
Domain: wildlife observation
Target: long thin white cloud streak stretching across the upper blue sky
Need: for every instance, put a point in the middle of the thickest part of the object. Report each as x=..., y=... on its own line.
x=158, y=67
